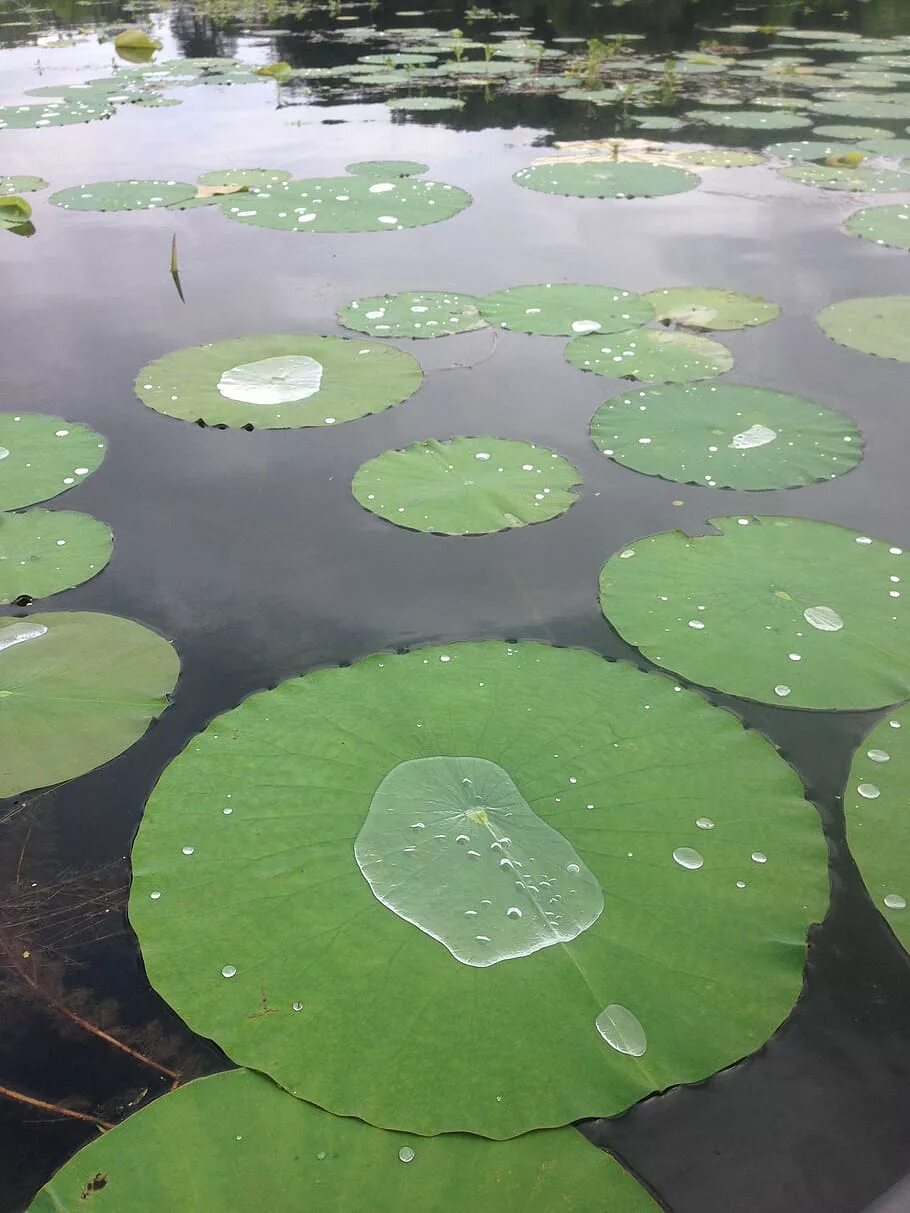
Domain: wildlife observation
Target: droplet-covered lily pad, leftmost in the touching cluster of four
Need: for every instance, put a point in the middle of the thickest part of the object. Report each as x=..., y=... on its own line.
x=414, y=315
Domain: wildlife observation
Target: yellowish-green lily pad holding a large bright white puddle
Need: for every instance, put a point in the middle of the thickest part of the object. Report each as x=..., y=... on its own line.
x=280, y=383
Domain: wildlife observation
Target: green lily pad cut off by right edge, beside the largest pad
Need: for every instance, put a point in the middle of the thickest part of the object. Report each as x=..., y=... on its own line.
x=878, y=830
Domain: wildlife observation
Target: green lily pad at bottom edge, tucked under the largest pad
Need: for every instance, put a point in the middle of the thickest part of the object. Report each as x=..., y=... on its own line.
x=248, y=1147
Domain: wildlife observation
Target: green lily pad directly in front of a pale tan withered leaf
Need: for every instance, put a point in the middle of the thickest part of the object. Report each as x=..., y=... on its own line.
x=606, y=179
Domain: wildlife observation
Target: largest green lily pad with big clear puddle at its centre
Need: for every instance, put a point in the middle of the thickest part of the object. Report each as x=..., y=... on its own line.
x=629, y=771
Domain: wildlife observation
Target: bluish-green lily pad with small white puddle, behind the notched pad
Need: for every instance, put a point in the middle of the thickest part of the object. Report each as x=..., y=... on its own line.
x=727, y=436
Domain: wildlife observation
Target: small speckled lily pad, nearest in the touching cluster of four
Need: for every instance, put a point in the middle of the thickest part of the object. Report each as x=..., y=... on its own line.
x=651, y=355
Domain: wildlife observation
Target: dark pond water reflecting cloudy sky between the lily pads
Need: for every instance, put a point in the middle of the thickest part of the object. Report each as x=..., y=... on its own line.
x=248, y=551
